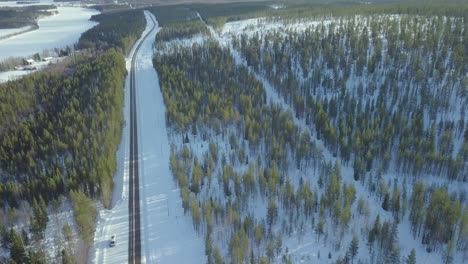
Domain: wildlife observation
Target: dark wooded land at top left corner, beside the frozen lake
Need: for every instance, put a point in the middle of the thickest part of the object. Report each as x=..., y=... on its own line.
x=15, y=17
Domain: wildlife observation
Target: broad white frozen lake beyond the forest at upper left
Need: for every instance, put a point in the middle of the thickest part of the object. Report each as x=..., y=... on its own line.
x=55, y=31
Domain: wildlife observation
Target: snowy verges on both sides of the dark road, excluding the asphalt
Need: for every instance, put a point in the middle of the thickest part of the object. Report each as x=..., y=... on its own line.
x=167, y=234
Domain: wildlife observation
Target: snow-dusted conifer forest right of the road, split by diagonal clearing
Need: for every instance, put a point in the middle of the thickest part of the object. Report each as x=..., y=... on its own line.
x=335, y=137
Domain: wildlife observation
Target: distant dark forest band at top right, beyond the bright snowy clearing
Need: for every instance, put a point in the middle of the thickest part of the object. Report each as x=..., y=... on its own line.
x=217, y=16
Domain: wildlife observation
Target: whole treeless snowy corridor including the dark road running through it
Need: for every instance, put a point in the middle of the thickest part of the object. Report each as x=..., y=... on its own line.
x=159, y=232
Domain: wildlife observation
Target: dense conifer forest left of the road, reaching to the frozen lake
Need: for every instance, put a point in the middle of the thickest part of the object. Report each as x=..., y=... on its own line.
x=60, y=130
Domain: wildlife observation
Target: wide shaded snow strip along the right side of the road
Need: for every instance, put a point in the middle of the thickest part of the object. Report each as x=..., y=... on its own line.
x=168, y=235
